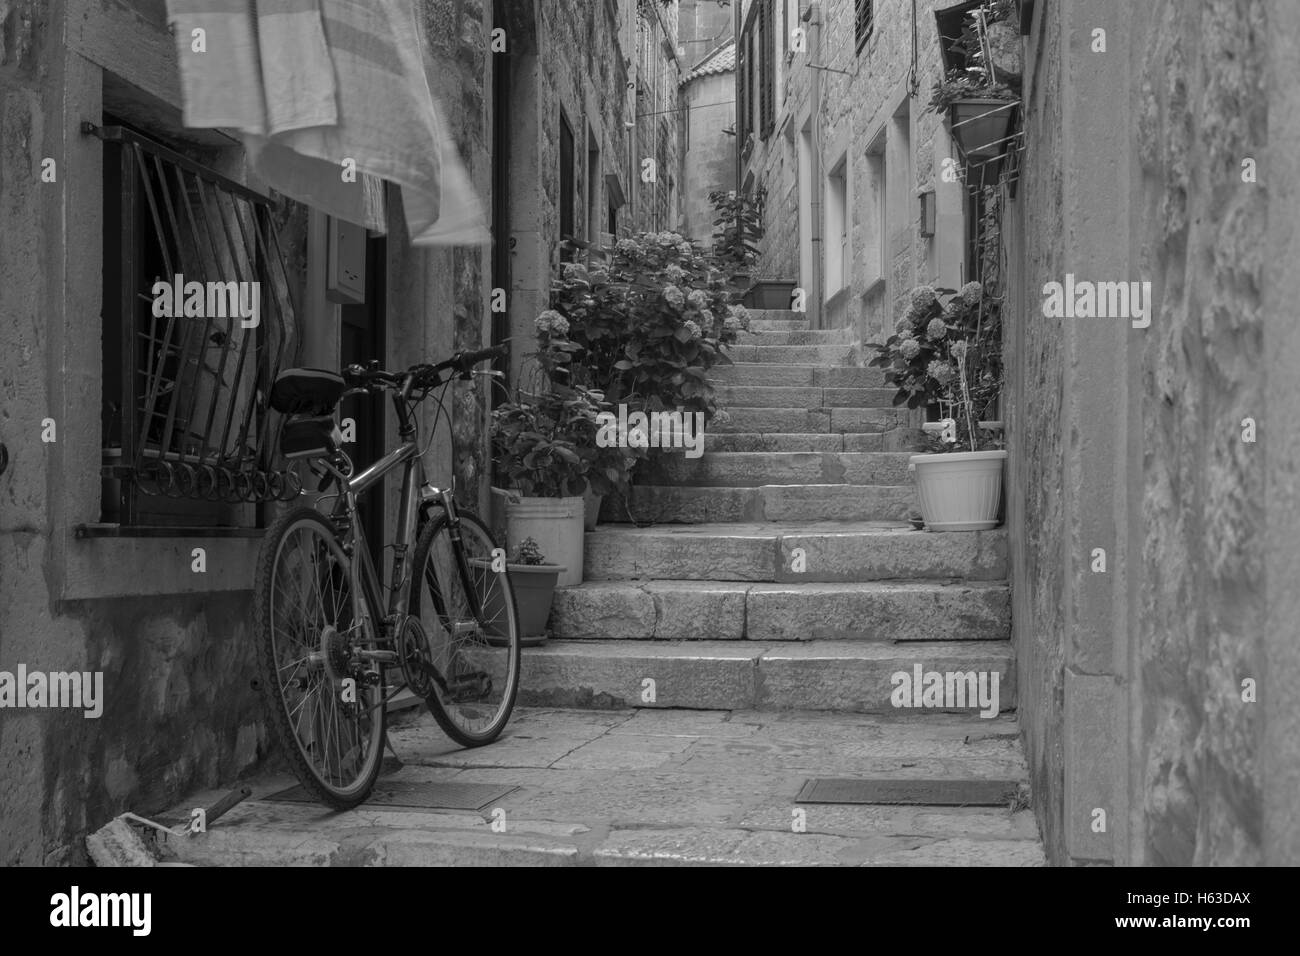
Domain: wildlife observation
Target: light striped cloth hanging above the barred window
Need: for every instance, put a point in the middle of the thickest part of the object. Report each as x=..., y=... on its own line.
x=331, y=97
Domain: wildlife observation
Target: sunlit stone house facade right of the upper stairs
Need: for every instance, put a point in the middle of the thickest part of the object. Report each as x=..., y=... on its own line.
x=837, y=136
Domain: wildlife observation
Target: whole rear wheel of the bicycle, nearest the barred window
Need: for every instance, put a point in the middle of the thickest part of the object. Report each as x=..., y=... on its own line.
x=326, y=702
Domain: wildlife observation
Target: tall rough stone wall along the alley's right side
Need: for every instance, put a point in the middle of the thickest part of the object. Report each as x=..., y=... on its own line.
x=1130, y=439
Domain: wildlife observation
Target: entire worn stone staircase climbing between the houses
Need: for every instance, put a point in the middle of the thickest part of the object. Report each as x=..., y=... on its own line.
x=778, y=574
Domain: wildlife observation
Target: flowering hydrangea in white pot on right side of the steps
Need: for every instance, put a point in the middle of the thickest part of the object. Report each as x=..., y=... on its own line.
x=950, y=354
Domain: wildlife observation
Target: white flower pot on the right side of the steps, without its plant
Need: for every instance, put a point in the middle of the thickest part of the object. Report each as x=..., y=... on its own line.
x=960, y=491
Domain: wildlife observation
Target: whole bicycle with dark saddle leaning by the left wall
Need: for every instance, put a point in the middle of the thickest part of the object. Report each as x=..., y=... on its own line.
x=330, y=642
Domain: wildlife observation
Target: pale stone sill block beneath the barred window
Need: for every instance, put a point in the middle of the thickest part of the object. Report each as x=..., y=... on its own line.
x=133, y=565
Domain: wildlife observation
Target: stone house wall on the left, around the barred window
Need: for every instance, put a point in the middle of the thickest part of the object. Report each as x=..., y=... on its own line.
x=80, y=592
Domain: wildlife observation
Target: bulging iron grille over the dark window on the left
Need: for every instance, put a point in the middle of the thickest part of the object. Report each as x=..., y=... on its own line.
x=188, y=434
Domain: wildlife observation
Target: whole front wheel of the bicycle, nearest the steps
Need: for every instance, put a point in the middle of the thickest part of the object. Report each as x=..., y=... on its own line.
x=473, y=659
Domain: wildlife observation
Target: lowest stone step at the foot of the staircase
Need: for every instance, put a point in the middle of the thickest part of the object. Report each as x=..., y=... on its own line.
x=853, y=677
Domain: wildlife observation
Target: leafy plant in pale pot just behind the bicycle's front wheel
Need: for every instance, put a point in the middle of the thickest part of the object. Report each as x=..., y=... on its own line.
x=540, y=456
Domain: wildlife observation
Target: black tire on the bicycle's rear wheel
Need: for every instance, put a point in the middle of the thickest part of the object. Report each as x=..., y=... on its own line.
x=370, y=698
